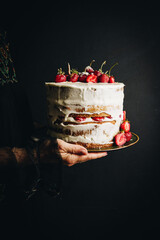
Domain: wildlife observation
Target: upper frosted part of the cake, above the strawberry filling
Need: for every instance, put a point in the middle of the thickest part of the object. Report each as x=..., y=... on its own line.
x=68, y=98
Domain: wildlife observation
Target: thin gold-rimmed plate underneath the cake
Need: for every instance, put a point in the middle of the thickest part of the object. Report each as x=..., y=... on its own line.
x=134, y=140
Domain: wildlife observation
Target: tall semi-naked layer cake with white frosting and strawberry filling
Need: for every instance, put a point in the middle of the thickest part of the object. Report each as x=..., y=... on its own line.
x=89, y=114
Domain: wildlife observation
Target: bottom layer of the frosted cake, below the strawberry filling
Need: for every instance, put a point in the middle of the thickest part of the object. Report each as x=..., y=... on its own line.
x=86, y=133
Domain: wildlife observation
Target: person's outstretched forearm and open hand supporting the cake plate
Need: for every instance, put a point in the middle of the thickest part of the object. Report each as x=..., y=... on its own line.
x=71, y=154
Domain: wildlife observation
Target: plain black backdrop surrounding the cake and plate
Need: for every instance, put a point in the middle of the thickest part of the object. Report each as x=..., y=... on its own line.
x=118, y=194
